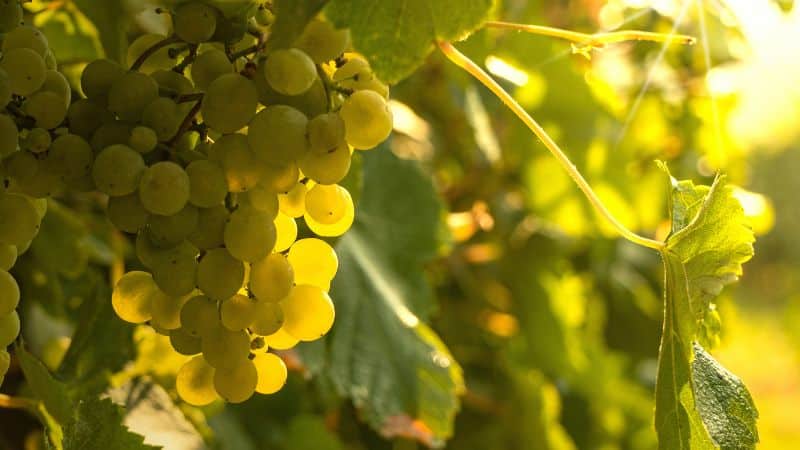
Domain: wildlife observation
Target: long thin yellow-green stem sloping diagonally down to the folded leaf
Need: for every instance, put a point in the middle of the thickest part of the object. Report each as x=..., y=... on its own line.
x=473, y=69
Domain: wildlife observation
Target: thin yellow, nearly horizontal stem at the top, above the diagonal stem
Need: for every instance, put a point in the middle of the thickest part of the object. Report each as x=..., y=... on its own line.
x=585, y=42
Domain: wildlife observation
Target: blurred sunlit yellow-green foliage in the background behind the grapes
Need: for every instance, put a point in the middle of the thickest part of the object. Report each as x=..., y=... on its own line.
x=553, y=319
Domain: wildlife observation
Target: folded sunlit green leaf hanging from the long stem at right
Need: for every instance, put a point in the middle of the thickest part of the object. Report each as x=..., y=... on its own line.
x=698, y=402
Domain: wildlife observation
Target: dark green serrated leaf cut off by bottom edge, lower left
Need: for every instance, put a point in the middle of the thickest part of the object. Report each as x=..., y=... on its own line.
x=97, y=423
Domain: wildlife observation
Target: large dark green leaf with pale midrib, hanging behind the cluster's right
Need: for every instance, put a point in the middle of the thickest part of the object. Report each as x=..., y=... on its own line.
x=381, y=354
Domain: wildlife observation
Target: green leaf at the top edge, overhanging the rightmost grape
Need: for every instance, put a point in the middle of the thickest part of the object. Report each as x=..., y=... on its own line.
x=396, y=36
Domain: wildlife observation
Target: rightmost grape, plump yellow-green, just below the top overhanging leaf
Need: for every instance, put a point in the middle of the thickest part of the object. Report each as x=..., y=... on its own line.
x=367, y=119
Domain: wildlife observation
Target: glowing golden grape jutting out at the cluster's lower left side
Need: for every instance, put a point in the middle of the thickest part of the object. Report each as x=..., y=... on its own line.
x=132, y=296
